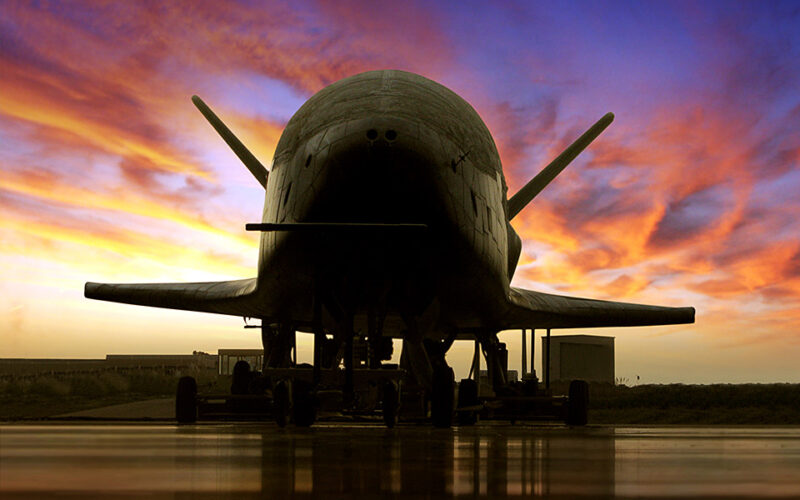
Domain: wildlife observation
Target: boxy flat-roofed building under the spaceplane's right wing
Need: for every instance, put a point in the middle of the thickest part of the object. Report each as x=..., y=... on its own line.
x=584, y=357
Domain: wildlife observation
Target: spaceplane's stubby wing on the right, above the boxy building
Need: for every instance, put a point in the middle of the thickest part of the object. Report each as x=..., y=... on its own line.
x=530, y=309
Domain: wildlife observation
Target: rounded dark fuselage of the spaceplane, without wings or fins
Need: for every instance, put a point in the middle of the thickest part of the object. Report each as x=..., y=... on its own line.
x=388, y=147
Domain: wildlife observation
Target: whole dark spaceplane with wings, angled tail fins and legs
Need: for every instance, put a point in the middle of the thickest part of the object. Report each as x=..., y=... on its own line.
x=387, y=212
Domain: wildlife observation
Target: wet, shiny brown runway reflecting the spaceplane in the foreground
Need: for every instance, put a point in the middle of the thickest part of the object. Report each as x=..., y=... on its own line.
x=249, y=461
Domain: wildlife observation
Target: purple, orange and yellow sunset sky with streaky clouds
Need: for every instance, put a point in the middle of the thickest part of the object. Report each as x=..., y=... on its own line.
x=691, y=197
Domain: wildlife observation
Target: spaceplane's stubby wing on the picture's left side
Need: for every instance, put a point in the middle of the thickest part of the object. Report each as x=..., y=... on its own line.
x=236, y=298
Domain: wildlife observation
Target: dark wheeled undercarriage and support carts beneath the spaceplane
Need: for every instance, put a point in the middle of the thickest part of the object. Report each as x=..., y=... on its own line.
x=350, y=379
